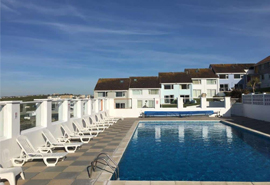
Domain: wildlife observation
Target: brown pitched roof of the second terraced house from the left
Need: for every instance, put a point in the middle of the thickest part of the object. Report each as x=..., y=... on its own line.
x=144, y=82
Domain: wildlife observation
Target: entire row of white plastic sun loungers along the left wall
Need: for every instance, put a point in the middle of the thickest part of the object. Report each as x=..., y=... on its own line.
x=84, y=130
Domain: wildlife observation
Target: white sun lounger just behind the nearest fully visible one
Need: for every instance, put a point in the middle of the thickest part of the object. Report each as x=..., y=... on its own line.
x=52, y=142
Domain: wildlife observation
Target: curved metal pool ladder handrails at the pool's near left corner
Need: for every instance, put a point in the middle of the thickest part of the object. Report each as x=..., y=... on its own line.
x=106, y=160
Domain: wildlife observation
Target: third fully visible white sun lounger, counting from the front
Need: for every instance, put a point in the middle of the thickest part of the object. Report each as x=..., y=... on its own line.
x=69, y=135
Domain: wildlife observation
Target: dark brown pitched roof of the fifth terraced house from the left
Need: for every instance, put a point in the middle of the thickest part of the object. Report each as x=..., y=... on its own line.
x=230, y=68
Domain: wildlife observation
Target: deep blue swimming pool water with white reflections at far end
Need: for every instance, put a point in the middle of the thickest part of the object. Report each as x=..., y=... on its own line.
x=195, y=151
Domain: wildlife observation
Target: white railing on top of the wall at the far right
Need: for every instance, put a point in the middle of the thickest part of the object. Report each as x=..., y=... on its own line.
x=256, y=99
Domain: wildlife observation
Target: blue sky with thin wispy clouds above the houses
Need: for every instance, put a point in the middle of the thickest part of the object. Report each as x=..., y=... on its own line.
x=65, y=46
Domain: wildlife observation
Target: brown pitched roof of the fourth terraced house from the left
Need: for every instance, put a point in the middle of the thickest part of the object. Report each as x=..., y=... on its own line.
x=201, y=73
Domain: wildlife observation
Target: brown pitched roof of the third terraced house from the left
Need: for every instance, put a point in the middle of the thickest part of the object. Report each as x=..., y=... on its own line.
x=174, y=77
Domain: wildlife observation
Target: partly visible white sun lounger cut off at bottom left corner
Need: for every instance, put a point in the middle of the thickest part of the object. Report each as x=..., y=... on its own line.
x=10, y=174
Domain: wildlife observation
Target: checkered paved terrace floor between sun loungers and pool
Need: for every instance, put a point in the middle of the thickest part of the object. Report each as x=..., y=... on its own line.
x=73, y=169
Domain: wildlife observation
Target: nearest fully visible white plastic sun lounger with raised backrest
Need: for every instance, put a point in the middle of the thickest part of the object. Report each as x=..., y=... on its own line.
x=28, y=153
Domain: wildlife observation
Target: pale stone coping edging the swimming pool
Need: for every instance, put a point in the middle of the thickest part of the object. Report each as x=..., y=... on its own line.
x=105, y=177
